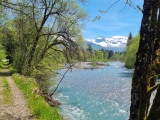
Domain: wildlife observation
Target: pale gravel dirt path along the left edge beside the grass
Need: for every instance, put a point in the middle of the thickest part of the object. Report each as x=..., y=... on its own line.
x=18, y=109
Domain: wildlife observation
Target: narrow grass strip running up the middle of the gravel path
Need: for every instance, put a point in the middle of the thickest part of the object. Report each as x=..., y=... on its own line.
x=6, y=92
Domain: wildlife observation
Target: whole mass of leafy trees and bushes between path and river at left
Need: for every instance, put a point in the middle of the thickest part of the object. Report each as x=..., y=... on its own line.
x=37, y=41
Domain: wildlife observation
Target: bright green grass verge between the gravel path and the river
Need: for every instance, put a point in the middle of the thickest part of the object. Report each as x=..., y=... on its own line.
x=40, y=109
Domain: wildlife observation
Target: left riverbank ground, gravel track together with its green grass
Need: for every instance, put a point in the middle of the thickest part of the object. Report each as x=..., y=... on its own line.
x=20, y=98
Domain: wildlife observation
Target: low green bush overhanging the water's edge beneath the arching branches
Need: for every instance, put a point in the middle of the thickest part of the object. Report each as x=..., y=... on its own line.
x=45, y=70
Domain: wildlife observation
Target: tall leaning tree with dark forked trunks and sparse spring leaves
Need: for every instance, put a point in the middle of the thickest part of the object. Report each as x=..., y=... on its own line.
x=54, y=22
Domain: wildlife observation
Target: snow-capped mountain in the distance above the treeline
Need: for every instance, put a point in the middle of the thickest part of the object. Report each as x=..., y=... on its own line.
x=115, y=43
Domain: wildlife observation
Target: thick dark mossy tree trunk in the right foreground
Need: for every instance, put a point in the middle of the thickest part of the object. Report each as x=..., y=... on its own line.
x=143, y=78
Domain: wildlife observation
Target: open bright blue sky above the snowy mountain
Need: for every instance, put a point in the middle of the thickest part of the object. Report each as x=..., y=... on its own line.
x=118, y=21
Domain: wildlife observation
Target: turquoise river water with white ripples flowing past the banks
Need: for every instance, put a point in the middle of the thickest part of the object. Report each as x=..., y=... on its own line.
x=101, y=94
